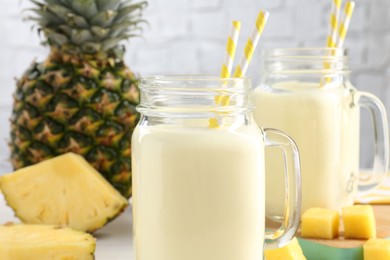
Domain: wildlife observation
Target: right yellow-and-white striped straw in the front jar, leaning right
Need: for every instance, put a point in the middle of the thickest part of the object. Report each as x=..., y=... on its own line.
x=251, y=44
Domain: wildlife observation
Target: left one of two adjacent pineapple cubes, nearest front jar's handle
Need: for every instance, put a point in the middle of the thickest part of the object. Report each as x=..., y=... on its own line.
x=320, y=223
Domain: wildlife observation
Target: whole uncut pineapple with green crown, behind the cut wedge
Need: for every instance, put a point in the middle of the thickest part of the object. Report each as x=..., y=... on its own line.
x=82, y=98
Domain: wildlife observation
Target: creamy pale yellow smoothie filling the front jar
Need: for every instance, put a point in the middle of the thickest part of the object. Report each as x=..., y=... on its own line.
x=198, y=193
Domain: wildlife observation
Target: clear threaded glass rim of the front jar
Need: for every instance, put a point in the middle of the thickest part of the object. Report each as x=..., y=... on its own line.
x=195, y=94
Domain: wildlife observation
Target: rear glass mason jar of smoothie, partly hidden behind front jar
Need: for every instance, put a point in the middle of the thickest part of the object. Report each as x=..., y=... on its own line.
x=307, y=94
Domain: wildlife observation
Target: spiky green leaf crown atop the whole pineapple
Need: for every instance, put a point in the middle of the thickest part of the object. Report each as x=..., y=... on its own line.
x=87, y=26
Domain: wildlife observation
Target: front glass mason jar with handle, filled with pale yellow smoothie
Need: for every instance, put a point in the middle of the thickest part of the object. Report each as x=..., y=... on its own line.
x=199, y=188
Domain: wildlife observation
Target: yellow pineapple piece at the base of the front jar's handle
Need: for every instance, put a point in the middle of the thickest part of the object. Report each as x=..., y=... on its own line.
x=292, y=251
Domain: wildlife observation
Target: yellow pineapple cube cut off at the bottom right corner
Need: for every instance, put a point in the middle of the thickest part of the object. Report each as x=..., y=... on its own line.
x=376, y=249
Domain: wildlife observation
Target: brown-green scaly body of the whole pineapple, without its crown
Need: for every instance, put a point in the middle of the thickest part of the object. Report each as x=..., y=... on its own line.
x=80, y=104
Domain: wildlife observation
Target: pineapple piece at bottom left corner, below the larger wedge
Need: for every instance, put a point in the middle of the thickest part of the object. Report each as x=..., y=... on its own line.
x=22, y=242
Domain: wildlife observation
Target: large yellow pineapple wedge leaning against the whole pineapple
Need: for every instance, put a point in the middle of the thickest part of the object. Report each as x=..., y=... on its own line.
x=66, y=191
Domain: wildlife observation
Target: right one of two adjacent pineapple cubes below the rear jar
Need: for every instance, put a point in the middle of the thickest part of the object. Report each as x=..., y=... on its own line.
x=359, y=222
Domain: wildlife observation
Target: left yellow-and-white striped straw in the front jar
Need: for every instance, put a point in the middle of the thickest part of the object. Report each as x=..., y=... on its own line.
x=227, y=65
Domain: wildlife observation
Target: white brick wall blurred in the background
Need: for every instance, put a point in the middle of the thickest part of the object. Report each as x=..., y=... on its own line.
x=188, y=36
